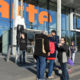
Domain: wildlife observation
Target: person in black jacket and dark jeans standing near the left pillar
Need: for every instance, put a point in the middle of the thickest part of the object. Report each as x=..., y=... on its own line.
x=22, y=47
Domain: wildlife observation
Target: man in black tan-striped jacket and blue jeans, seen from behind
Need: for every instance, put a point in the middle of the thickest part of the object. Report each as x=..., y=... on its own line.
x=41, y=52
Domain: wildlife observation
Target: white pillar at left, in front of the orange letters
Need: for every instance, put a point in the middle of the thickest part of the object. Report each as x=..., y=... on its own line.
x=15, y=14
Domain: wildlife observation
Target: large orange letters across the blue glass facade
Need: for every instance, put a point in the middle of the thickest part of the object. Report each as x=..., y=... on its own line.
x=30, y=9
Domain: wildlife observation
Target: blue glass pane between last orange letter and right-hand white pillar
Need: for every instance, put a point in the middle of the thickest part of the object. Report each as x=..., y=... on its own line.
x=53, y=13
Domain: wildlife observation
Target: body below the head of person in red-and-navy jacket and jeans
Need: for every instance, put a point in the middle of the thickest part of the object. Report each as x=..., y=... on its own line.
x=51, y=57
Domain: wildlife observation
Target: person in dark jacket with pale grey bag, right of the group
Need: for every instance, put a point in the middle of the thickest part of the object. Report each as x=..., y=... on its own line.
x=63, y=54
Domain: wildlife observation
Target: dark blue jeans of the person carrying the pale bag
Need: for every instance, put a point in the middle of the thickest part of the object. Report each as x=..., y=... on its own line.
x=65, y=75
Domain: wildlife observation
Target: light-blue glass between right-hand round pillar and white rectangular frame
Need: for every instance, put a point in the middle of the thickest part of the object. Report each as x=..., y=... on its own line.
x=65, y=24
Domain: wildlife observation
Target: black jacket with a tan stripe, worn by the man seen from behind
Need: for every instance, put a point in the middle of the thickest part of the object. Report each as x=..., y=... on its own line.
x=41, y=45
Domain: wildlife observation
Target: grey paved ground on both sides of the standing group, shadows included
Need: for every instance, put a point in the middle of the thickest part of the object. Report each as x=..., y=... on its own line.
x=11, y=71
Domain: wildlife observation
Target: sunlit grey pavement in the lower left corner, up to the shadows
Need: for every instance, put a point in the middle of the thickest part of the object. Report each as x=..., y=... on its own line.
x=10, y=71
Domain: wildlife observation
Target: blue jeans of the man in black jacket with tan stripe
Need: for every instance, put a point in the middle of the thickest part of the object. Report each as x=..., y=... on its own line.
x=41, y=67
